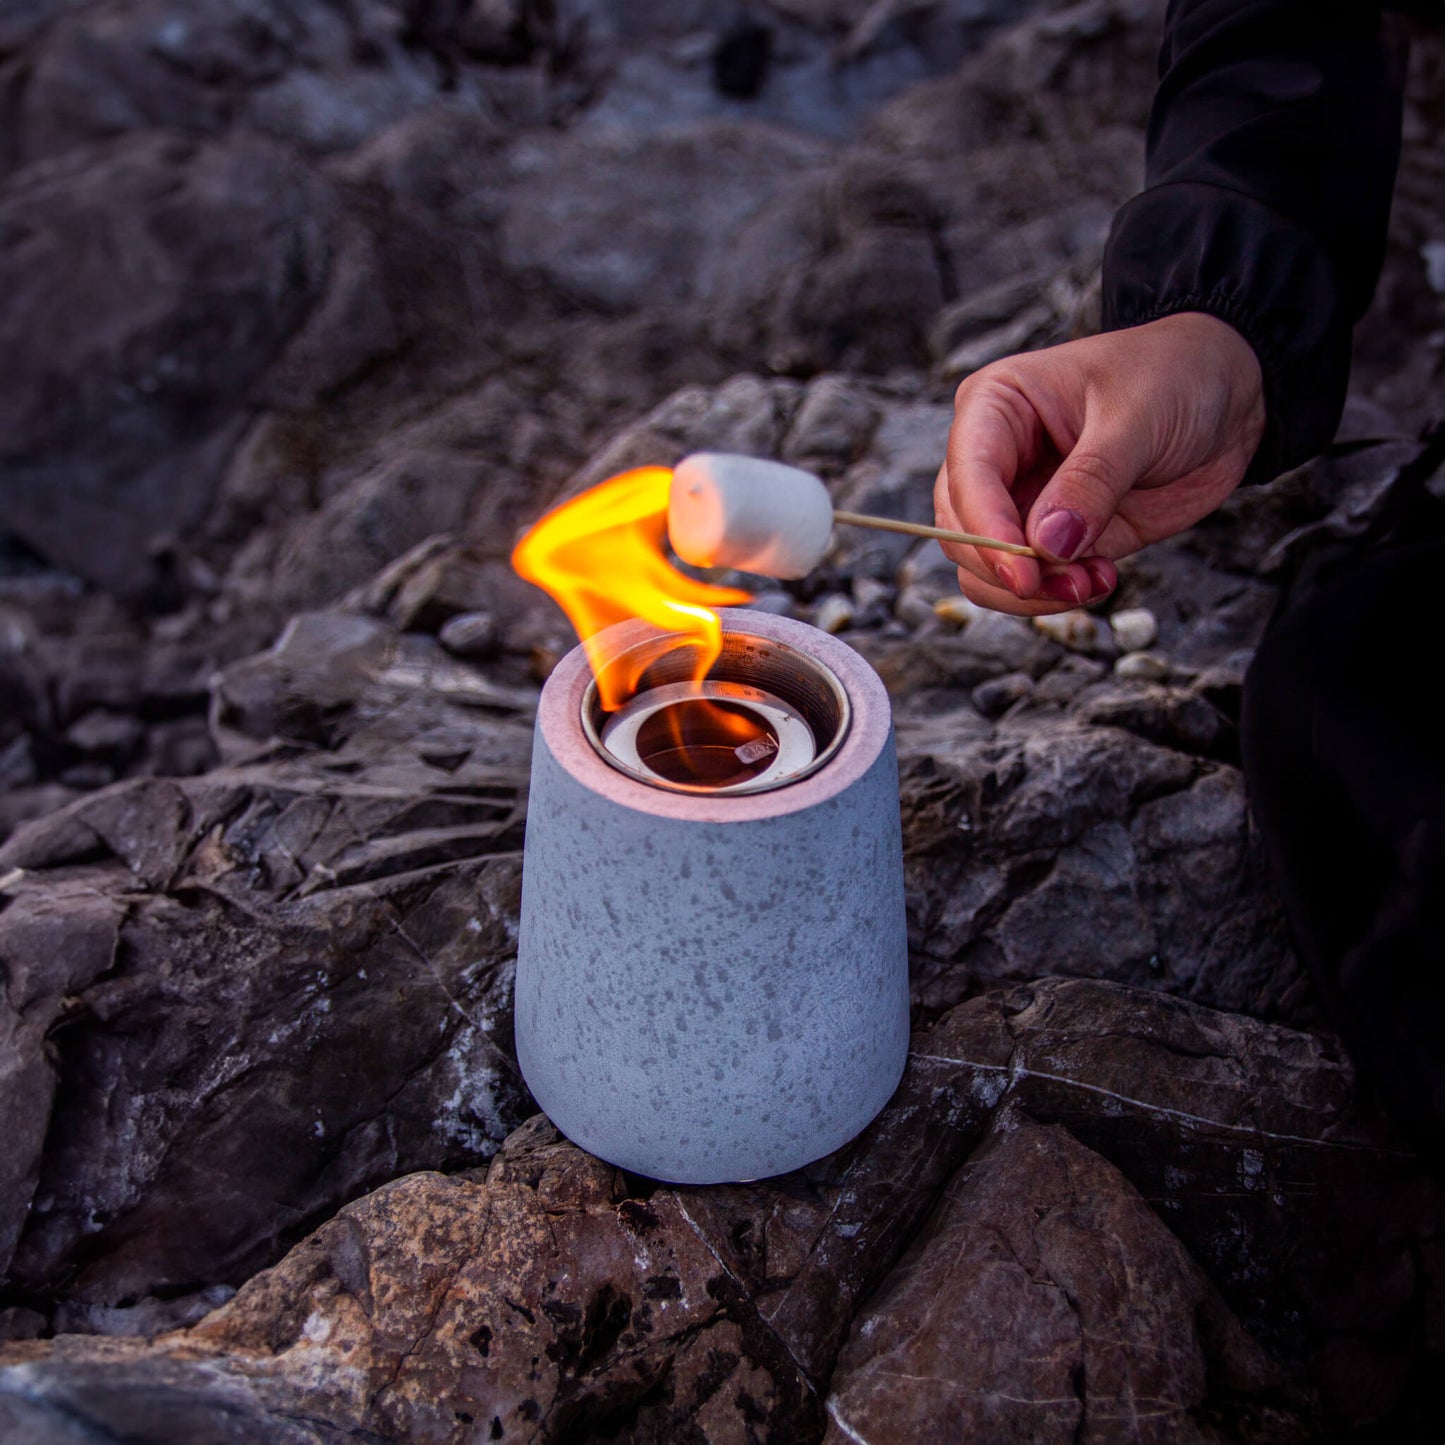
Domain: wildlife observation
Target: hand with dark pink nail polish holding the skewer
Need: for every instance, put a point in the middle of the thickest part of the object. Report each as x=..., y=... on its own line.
x=1092, y=450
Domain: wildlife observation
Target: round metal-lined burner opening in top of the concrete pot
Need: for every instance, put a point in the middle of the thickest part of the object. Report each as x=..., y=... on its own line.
x=765, y=716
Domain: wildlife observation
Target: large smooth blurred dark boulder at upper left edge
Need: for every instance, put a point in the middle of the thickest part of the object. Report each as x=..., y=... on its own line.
x=119, y=417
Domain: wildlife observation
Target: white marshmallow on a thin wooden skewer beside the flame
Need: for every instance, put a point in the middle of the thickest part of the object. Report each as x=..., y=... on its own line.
x=749, y=514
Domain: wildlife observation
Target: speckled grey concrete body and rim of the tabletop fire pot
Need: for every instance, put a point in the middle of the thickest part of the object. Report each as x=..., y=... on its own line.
x=715, y=989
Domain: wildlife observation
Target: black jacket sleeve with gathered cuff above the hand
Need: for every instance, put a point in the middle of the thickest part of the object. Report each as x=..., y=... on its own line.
x=1272, y=150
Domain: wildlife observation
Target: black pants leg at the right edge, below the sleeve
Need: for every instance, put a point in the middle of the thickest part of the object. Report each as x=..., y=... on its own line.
x=1345, y=755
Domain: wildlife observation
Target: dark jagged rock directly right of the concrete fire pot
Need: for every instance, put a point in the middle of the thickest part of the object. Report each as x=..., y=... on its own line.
x=1054, y=842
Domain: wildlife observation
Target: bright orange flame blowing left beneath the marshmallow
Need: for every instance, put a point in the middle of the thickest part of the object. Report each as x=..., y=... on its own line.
x=603, y=558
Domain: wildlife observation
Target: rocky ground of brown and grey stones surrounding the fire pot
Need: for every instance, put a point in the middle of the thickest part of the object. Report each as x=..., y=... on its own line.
x=309, y=309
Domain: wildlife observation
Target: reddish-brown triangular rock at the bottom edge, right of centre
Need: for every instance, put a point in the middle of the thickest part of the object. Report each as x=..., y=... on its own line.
x=1047, y=1301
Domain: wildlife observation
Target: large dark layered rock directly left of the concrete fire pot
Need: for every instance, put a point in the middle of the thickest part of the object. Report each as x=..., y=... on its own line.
x=316, y=983
